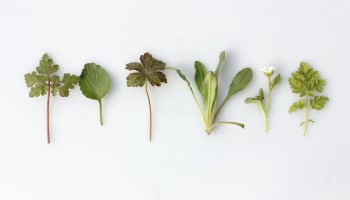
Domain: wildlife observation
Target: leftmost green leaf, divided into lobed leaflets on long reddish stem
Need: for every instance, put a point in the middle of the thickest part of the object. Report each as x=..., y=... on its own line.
x=43, y=81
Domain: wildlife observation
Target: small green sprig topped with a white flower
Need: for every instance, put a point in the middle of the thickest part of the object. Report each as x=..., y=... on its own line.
x=259, y=100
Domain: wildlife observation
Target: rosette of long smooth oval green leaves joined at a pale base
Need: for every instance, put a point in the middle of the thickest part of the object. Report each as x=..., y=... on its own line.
x=207, y=85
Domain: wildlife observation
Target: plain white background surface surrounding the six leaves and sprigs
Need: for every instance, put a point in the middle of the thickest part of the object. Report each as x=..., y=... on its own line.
x=89, y=162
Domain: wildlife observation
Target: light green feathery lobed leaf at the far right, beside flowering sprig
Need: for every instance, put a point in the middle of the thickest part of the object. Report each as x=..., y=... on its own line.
x=307, y=83
